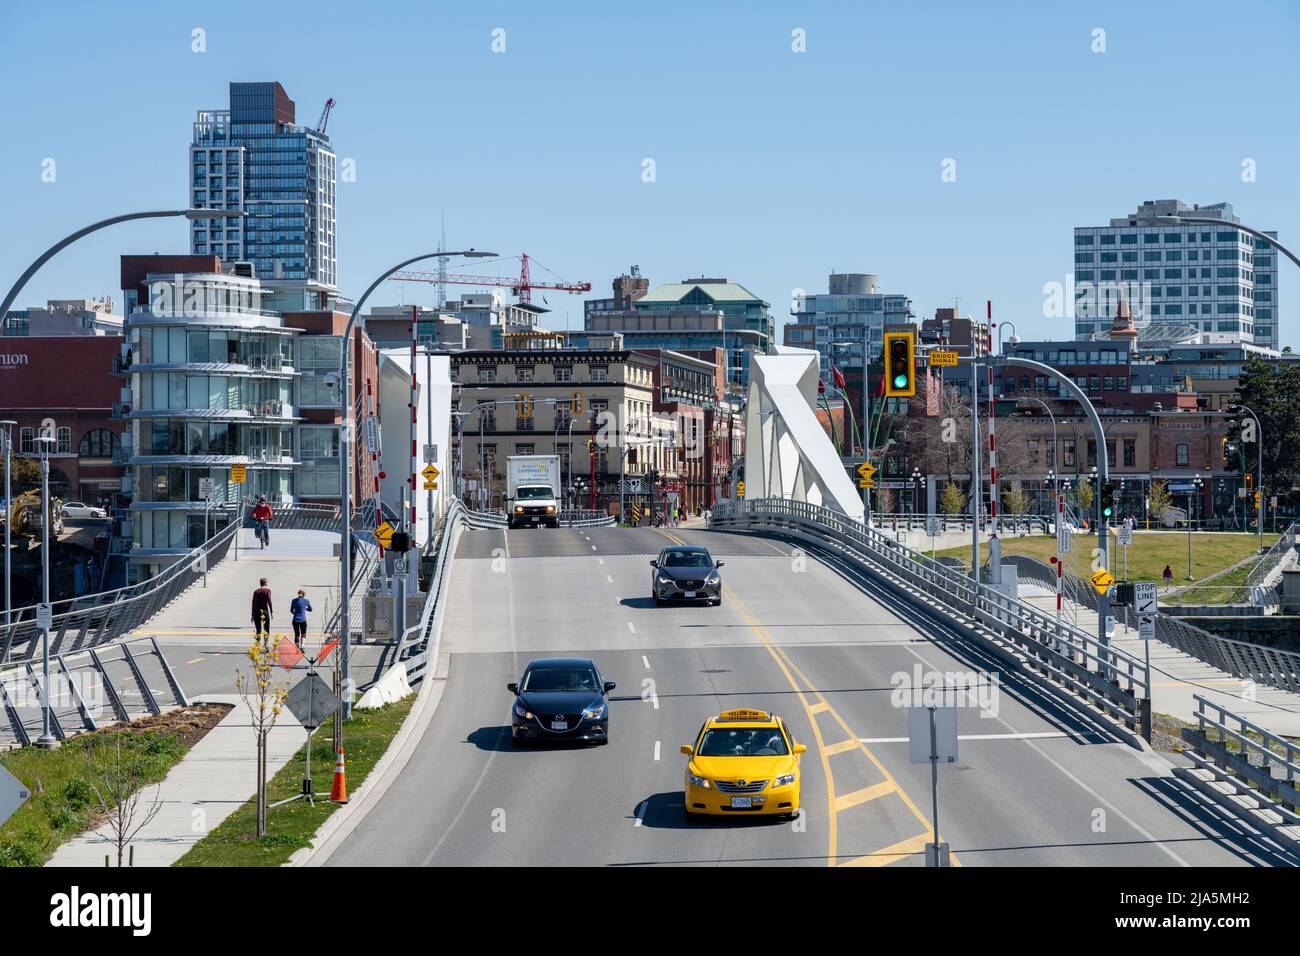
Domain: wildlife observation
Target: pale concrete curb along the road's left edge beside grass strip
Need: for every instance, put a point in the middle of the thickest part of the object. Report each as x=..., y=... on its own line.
x=343, y=823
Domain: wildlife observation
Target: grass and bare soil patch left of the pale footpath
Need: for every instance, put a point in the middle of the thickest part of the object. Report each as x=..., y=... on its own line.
x=63, y=803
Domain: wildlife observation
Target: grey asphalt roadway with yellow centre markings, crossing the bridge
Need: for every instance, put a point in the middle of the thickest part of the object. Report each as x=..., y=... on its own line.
x=1035, y=785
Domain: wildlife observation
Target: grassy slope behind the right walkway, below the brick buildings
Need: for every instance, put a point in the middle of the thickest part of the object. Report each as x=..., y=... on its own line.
x=1147, y=555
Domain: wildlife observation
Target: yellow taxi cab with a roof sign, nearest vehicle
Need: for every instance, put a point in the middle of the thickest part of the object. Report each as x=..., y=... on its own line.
x=743, y=763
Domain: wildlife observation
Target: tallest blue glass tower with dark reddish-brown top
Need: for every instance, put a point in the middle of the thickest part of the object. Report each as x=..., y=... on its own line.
x=255, y=158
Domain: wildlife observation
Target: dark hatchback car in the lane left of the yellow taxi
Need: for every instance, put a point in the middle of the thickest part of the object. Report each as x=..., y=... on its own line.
x=561, y=699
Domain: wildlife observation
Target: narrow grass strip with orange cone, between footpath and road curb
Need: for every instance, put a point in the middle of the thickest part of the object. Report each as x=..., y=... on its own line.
x=291, y=828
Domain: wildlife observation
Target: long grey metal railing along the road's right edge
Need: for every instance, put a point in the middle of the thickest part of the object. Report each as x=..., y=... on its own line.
x=1099, y=673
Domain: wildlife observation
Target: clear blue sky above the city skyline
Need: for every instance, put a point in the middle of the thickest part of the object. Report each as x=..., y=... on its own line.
x=773, y=167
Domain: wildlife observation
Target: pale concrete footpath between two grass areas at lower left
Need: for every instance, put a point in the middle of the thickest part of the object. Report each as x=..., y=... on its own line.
x=210, y=784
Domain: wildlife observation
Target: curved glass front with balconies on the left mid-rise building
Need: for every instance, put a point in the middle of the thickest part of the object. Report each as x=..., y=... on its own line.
x=211, y=384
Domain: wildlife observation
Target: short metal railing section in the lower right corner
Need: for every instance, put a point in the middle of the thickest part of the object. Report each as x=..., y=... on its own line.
x=1249, y=771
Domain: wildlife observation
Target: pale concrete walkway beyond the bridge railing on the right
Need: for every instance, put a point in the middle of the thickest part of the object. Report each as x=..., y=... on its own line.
x=1177, y=677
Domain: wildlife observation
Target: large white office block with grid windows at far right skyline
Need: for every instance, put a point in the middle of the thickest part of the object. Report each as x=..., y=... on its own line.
x=1216, y=279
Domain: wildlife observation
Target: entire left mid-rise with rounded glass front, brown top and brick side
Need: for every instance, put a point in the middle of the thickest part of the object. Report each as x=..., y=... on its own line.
x=211, y=379
